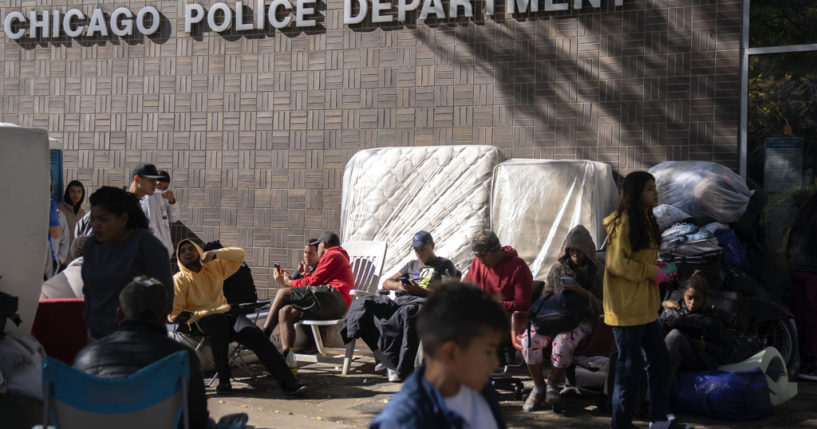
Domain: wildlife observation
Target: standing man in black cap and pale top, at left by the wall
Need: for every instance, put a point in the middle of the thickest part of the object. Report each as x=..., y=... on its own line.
x=144, y=180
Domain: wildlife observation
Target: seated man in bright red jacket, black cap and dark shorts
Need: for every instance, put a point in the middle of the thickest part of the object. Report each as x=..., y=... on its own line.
x=320, y=295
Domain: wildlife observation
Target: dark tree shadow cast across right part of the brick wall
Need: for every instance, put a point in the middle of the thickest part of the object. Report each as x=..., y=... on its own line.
x=540, y=68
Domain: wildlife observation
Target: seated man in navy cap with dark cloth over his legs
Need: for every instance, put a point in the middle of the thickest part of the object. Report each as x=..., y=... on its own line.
x=388, y=326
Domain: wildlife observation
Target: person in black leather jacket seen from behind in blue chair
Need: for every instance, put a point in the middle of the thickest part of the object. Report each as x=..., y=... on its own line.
x=142, y=340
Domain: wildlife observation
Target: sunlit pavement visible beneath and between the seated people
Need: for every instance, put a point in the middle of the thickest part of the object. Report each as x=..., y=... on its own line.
x=352, y=402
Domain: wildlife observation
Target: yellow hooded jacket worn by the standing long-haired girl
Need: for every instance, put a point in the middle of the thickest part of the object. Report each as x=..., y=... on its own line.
x=631, y=296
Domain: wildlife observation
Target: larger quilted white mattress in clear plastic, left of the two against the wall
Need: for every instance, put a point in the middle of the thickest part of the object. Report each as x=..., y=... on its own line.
x=391, y=193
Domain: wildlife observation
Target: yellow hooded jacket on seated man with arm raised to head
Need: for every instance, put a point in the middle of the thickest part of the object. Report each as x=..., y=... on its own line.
x=202, y=293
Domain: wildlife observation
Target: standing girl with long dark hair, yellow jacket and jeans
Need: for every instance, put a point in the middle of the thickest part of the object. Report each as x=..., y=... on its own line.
x=631, y=300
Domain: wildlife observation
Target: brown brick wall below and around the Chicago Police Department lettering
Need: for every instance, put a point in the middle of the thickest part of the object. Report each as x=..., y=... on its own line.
x=255, y=128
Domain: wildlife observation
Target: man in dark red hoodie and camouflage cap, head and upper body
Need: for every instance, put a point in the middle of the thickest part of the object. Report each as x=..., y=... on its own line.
x=500, y=272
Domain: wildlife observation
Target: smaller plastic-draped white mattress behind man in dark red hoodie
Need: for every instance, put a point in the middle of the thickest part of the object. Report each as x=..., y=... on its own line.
x=534, y=203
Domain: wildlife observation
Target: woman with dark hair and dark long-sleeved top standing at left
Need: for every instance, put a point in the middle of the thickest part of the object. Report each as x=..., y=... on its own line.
x=121, y=249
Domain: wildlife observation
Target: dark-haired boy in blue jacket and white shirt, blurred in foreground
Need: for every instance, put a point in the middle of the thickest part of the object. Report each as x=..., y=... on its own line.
x=460, y=327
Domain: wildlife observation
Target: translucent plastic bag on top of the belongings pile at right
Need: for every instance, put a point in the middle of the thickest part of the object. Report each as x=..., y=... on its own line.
x=702, y=189
